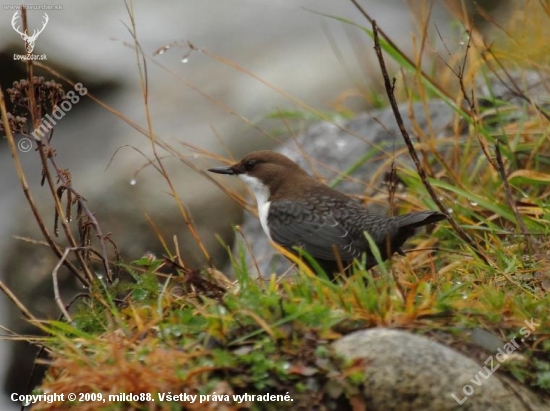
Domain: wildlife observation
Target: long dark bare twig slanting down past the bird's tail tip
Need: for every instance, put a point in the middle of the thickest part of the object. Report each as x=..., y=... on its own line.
x=421, y=172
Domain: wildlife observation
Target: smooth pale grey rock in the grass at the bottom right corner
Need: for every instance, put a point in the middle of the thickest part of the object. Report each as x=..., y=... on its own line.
x=408, y=372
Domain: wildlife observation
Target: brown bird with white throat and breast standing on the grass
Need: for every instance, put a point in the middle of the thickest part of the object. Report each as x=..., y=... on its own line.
x=297, y=210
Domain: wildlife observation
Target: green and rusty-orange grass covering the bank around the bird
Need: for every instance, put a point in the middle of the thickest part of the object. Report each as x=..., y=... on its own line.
x=175, y=330
